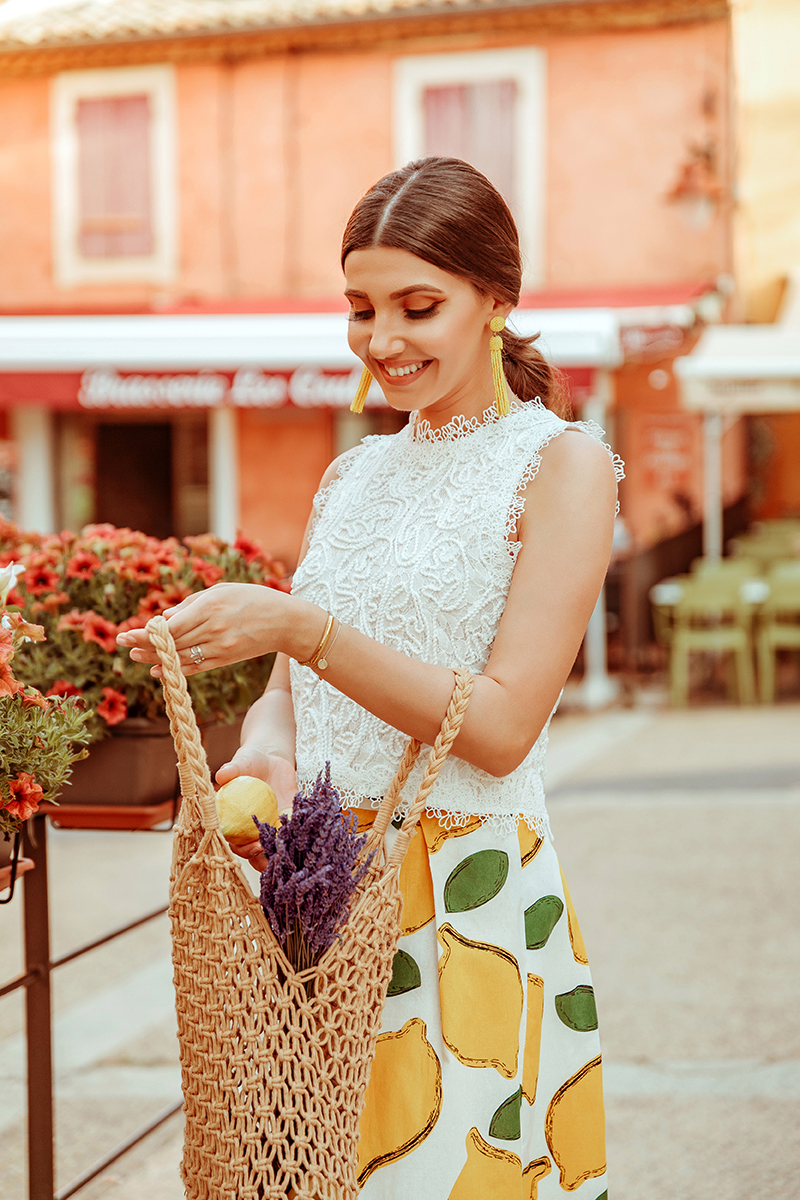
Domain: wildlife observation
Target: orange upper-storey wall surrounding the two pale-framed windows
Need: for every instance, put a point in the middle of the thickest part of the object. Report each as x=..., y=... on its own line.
x=274, y=152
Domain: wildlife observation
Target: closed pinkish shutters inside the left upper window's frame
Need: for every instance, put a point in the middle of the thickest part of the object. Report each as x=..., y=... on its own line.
x=116, y=203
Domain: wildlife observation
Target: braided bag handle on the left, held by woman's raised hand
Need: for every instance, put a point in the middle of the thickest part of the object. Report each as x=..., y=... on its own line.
x=193, y=764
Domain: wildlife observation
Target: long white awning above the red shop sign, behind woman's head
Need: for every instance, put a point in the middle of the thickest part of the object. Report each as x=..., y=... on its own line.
x=225, y=343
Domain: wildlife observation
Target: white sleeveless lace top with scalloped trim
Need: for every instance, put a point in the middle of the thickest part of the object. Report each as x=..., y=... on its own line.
x=411, y=545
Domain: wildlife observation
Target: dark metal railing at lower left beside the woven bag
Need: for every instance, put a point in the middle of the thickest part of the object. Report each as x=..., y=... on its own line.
x=39, y=1027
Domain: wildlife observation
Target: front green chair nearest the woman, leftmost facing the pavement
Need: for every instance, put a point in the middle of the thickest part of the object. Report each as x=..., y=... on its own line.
x=714, y=615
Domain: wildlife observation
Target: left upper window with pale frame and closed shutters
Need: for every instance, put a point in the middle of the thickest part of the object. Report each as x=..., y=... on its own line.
x=115, y=176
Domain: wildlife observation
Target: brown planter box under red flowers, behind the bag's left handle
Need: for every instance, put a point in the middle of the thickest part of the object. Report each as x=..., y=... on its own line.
x=137, y=767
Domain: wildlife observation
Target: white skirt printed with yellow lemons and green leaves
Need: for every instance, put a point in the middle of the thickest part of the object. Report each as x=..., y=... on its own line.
x=488, y=1079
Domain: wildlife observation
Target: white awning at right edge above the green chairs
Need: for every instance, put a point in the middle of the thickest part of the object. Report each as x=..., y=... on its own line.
x=743, y=369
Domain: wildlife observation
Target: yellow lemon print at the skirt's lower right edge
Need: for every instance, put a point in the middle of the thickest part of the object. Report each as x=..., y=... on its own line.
x=575, y=1127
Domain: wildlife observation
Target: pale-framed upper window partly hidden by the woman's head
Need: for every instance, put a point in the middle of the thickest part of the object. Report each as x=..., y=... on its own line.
x=489, y=109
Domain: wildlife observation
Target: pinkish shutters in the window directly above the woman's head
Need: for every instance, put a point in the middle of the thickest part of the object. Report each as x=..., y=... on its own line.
x=477, y=123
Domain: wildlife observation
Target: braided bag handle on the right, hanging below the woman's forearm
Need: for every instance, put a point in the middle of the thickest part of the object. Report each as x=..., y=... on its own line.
x=448, y=734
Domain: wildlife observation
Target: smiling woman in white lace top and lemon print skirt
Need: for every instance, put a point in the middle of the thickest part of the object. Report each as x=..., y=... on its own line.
x=470, y=539
